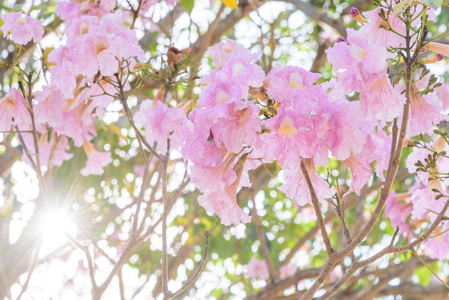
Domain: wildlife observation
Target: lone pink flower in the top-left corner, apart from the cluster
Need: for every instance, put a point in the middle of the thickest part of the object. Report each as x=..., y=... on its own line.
x=22, y=28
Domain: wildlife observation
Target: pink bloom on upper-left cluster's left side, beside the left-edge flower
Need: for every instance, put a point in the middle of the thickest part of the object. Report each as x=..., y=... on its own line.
x=49, y=108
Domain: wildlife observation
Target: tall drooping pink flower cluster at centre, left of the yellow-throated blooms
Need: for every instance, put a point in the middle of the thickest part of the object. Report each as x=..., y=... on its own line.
x=219, y=132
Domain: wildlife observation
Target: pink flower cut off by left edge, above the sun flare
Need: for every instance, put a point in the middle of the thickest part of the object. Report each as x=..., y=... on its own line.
x=13, y=110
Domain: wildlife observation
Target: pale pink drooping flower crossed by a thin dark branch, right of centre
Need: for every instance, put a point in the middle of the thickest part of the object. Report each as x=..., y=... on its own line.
x=296, y=186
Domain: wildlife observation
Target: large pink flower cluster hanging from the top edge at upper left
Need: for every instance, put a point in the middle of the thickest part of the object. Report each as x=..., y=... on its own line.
x=98, y=45
